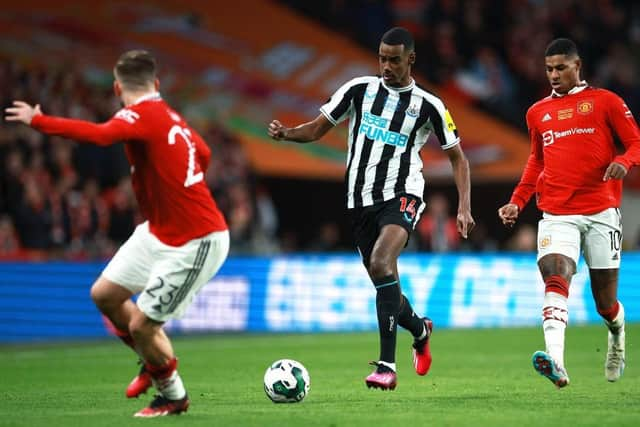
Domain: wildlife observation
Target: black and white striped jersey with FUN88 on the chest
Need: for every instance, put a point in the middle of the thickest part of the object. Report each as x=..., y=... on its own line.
x=387, y=128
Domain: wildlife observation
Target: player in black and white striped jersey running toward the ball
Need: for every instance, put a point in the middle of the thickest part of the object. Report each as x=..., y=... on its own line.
x=390, y=118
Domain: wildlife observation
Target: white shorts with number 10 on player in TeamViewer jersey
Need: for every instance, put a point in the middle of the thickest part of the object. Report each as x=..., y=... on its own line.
x=599, y=236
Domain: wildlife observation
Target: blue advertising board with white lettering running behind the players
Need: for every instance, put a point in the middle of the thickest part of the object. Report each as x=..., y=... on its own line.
x=308, y=293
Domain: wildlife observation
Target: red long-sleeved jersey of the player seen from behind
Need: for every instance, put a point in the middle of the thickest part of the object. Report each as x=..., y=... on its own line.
x=168, y=162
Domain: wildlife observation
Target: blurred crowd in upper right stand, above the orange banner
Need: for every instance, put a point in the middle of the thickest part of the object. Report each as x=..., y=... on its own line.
x=489, y=51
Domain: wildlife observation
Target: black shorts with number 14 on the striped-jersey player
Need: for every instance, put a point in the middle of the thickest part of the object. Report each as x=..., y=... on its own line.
x=367, y=222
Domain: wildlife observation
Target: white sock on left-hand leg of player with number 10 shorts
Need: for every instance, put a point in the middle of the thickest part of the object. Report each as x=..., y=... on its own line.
x=554, y=322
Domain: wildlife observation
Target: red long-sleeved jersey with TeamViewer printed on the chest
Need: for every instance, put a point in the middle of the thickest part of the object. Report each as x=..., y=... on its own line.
x=572, y=144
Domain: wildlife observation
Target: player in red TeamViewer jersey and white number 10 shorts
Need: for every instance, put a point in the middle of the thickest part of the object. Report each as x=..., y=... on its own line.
x=576, y=173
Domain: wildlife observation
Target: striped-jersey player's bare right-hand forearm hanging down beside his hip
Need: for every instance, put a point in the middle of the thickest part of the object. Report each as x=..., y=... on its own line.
x=461, y=176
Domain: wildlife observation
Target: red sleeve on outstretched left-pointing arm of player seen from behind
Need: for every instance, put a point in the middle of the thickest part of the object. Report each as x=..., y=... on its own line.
x=119, y=128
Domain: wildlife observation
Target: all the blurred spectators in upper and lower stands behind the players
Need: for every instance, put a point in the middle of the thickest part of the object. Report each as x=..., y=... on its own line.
x=64, y=200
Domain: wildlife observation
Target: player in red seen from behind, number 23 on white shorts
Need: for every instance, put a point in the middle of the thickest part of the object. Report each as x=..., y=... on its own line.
x=183, y=241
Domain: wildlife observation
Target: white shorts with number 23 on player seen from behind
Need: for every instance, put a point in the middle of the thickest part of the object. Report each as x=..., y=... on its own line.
x=166, y=277
